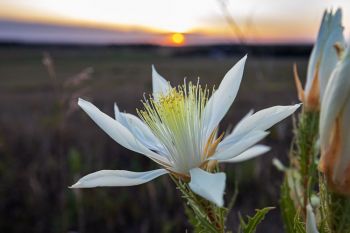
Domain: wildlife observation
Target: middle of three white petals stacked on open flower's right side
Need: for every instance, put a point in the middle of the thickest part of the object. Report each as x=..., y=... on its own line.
x=239, y=146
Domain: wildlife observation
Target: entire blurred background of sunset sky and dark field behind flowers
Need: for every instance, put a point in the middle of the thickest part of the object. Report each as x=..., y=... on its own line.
x=53, y=52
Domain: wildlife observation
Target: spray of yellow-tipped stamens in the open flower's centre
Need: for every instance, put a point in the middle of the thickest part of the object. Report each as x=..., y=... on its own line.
x=175, y=118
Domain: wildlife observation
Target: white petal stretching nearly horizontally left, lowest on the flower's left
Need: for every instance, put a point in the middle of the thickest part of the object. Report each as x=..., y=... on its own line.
x=106, y=178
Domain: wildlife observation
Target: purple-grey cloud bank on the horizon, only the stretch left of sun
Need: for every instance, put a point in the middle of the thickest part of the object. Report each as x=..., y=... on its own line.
x=47, y=33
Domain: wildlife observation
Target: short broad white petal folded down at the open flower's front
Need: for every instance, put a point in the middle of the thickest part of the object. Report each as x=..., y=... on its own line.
x=208, y=185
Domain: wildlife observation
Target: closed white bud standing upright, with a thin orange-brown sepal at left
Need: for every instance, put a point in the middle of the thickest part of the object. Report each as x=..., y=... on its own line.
x=324, y=57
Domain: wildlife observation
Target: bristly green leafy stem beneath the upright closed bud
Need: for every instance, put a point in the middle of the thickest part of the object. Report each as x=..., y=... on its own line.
x=301, y=178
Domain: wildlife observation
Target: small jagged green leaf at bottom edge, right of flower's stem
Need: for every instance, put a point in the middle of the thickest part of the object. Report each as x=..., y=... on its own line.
x=250, y=225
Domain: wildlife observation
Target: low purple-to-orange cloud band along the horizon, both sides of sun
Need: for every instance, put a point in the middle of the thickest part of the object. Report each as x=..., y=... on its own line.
x=17, y=31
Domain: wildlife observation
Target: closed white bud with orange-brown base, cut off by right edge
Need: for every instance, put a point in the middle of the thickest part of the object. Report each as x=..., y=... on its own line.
x=335, y=128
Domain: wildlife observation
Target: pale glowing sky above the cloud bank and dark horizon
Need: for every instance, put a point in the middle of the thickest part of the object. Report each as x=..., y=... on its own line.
x=260, y=20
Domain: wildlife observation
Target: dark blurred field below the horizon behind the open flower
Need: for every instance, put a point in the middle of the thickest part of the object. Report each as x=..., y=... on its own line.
x=46, y=143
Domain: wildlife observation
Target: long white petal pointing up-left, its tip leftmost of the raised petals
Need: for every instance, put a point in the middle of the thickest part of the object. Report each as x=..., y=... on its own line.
x=117, y=131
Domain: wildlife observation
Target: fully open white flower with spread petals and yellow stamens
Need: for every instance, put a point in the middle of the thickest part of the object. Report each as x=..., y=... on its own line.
x=178, y=129
